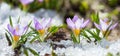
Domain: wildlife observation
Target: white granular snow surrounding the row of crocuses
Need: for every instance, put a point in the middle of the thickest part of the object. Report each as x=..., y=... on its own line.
x=82, y=49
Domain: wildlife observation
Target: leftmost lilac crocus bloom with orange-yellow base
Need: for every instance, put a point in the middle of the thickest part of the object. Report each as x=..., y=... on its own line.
x=17, y=31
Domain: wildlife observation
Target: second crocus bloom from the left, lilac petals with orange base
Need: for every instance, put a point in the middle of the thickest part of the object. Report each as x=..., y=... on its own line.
x=42, y=26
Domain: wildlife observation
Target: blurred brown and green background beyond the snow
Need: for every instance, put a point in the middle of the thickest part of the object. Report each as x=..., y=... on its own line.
x=68, y=8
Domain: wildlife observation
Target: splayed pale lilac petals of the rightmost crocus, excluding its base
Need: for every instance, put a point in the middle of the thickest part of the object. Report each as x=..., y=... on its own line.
x=105, y=25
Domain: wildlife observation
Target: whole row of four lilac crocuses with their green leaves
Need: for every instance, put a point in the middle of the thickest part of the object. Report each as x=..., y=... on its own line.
x=43, y=29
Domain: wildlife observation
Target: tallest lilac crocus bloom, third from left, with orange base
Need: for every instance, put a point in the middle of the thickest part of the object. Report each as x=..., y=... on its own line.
x=76, y=24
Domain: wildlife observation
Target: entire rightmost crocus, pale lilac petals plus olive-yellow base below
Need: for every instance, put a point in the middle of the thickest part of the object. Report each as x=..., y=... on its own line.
x=105, y=26
